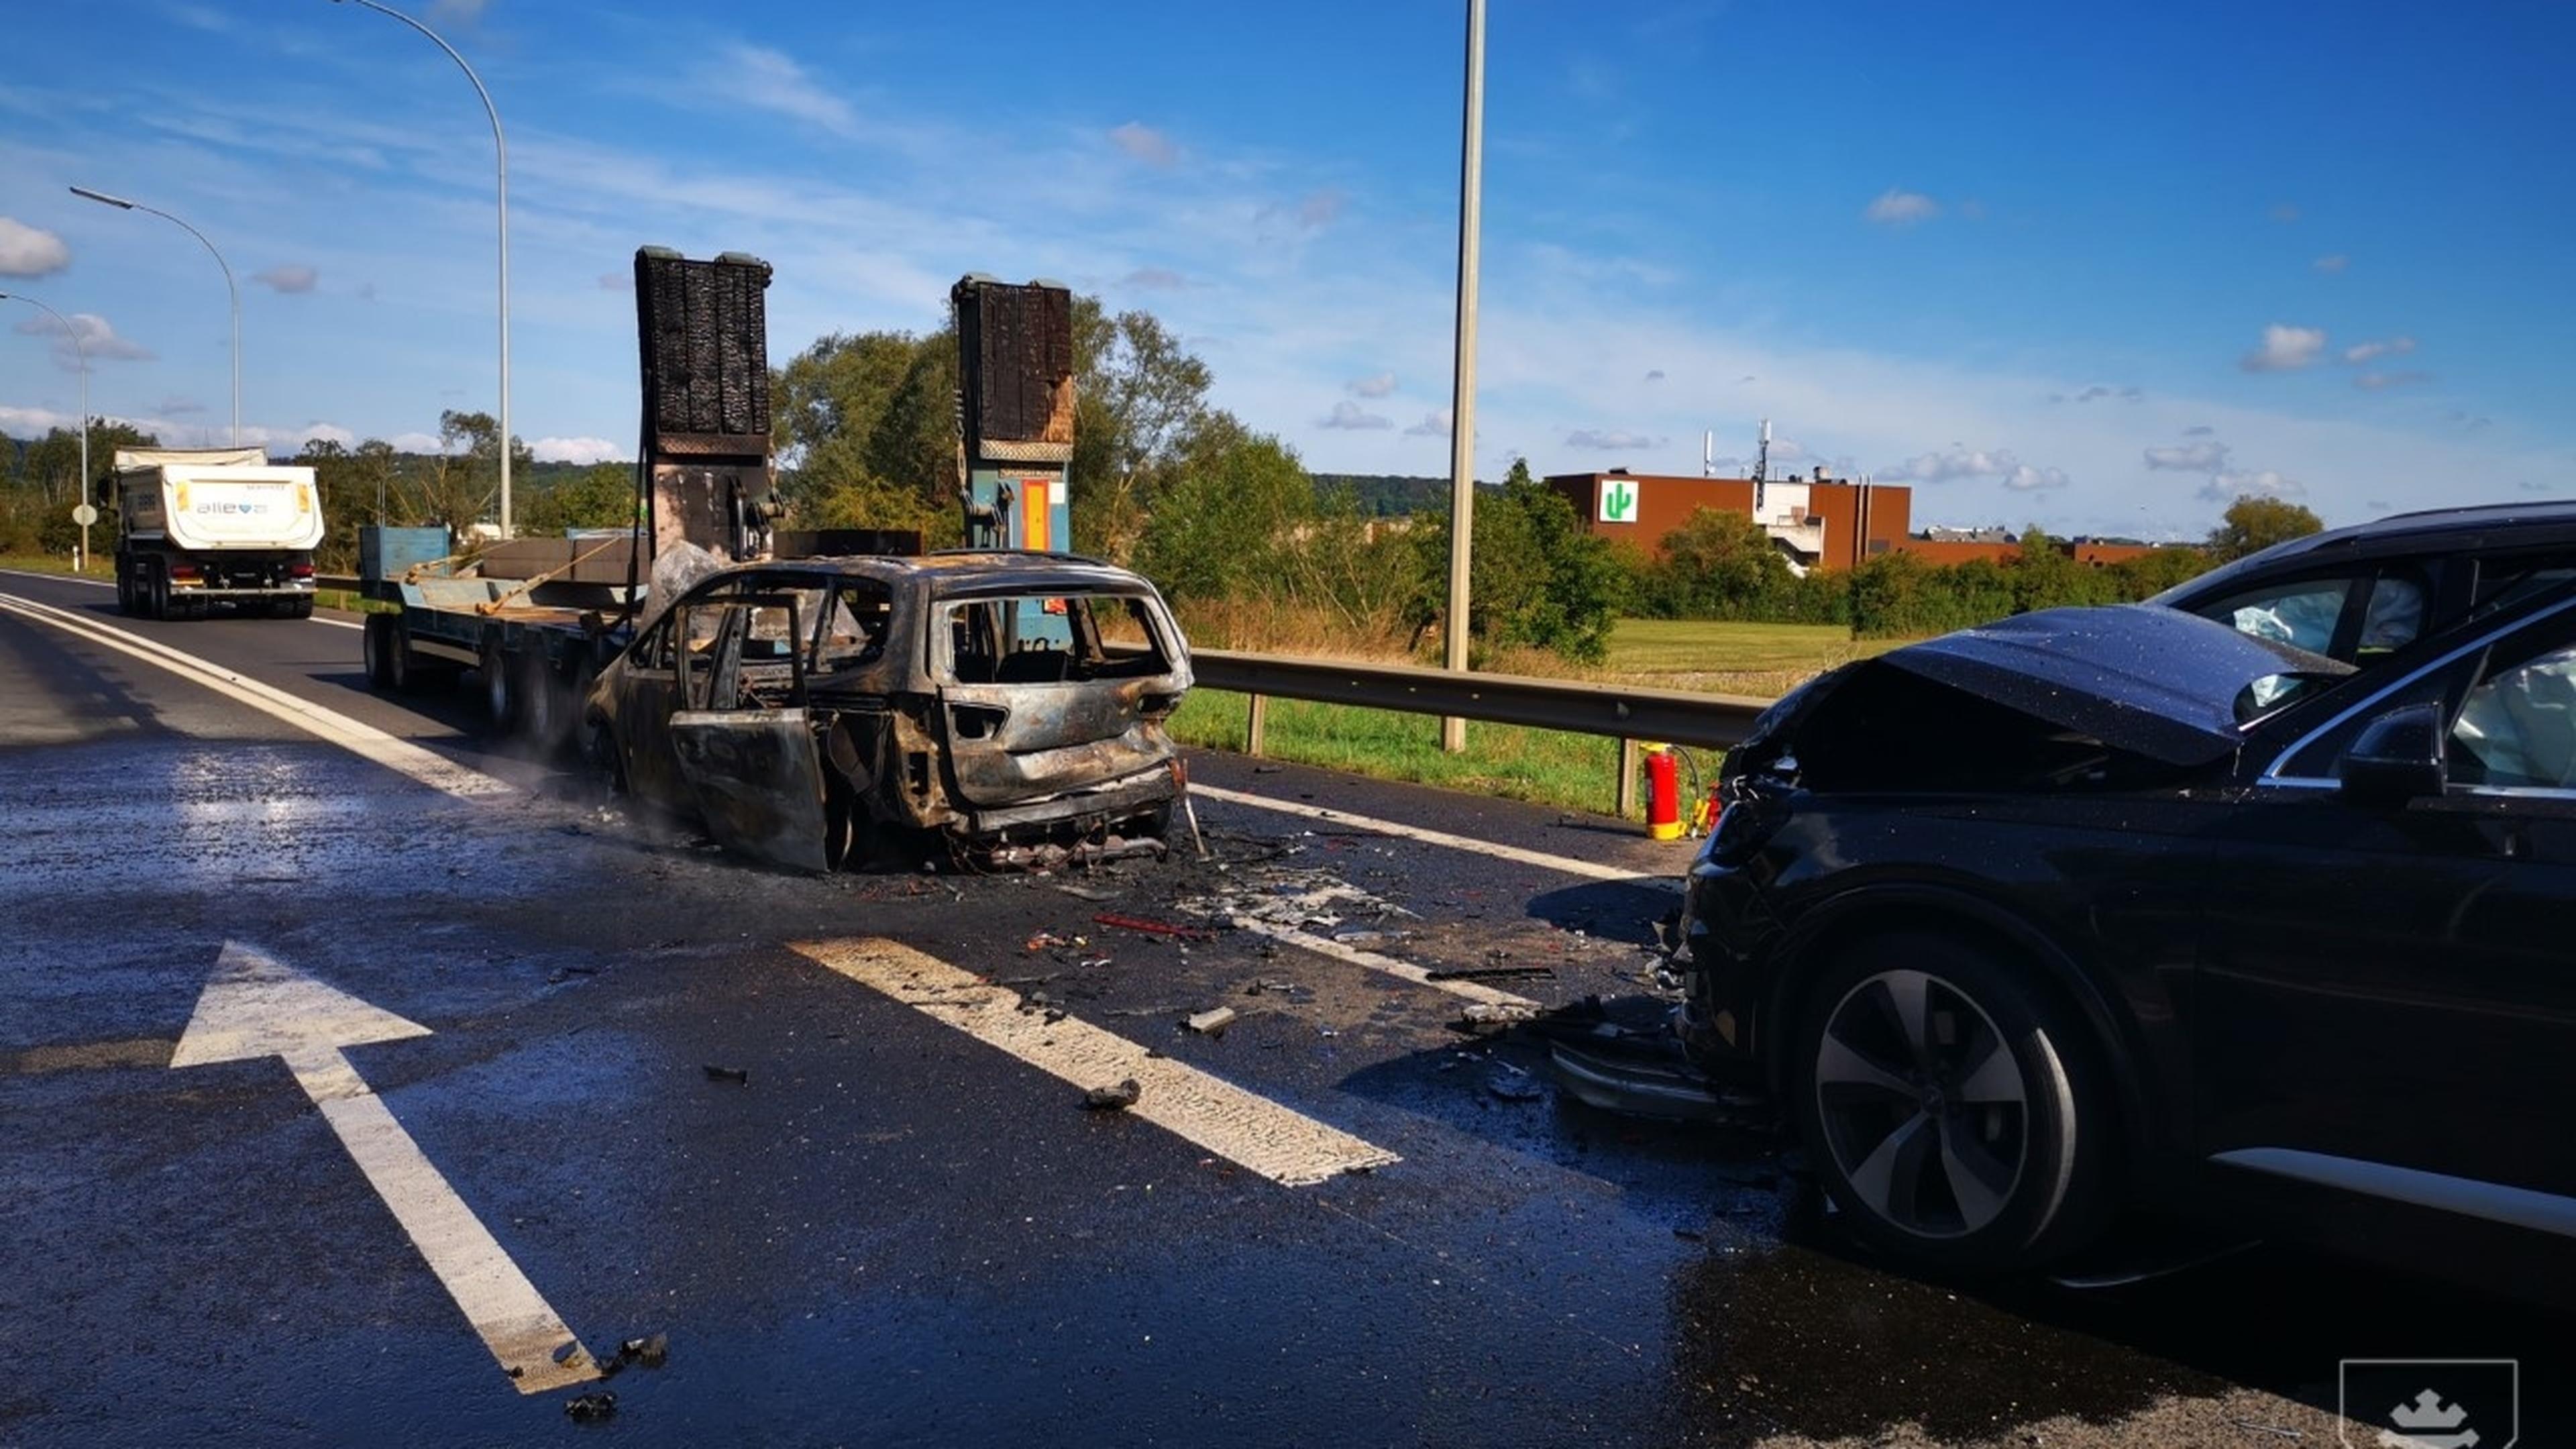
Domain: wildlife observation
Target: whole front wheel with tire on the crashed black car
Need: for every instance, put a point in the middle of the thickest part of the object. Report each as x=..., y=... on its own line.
x=1987, y=1146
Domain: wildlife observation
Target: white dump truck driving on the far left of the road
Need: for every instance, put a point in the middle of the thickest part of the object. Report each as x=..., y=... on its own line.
x=202, y=527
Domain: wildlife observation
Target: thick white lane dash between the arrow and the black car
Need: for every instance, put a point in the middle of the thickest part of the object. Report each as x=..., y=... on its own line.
x=1222, y=1118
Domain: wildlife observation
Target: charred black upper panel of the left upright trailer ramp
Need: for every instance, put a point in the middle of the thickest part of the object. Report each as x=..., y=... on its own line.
x=707, y=357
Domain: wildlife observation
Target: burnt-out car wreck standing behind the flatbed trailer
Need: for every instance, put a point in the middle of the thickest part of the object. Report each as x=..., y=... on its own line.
x=831, y=713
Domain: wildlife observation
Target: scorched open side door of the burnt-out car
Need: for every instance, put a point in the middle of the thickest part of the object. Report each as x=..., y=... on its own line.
x=759, y=783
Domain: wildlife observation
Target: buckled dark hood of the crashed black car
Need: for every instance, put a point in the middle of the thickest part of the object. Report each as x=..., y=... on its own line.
x=2142, y=679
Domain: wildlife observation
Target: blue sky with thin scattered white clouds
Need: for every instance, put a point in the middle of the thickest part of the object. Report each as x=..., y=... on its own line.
x=2065, y=264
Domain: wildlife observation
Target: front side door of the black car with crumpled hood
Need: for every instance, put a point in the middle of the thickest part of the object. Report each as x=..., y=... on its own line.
x=2387, y=999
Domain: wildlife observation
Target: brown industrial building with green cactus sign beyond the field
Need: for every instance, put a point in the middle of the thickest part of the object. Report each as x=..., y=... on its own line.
x=1817, y=522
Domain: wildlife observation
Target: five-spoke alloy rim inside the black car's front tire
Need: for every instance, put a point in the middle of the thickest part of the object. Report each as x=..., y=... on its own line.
x=1923, y=1105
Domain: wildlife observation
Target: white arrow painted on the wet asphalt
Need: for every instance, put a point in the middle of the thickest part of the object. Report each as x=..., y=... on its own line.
x=256, y=1007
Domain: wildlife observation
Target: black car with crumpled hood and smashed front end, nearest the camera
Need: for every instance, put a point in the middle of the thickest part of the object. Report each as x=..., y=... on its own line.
x=2119, y=906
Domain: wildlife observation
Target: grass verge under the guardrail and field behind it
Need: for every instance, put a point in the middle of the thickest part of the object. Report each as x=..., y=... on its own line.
x=1547, y=767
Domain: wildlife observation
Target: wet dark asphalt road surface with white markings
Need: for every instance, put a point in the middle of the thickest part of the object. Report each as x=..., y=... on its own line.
x=877, y=1208
